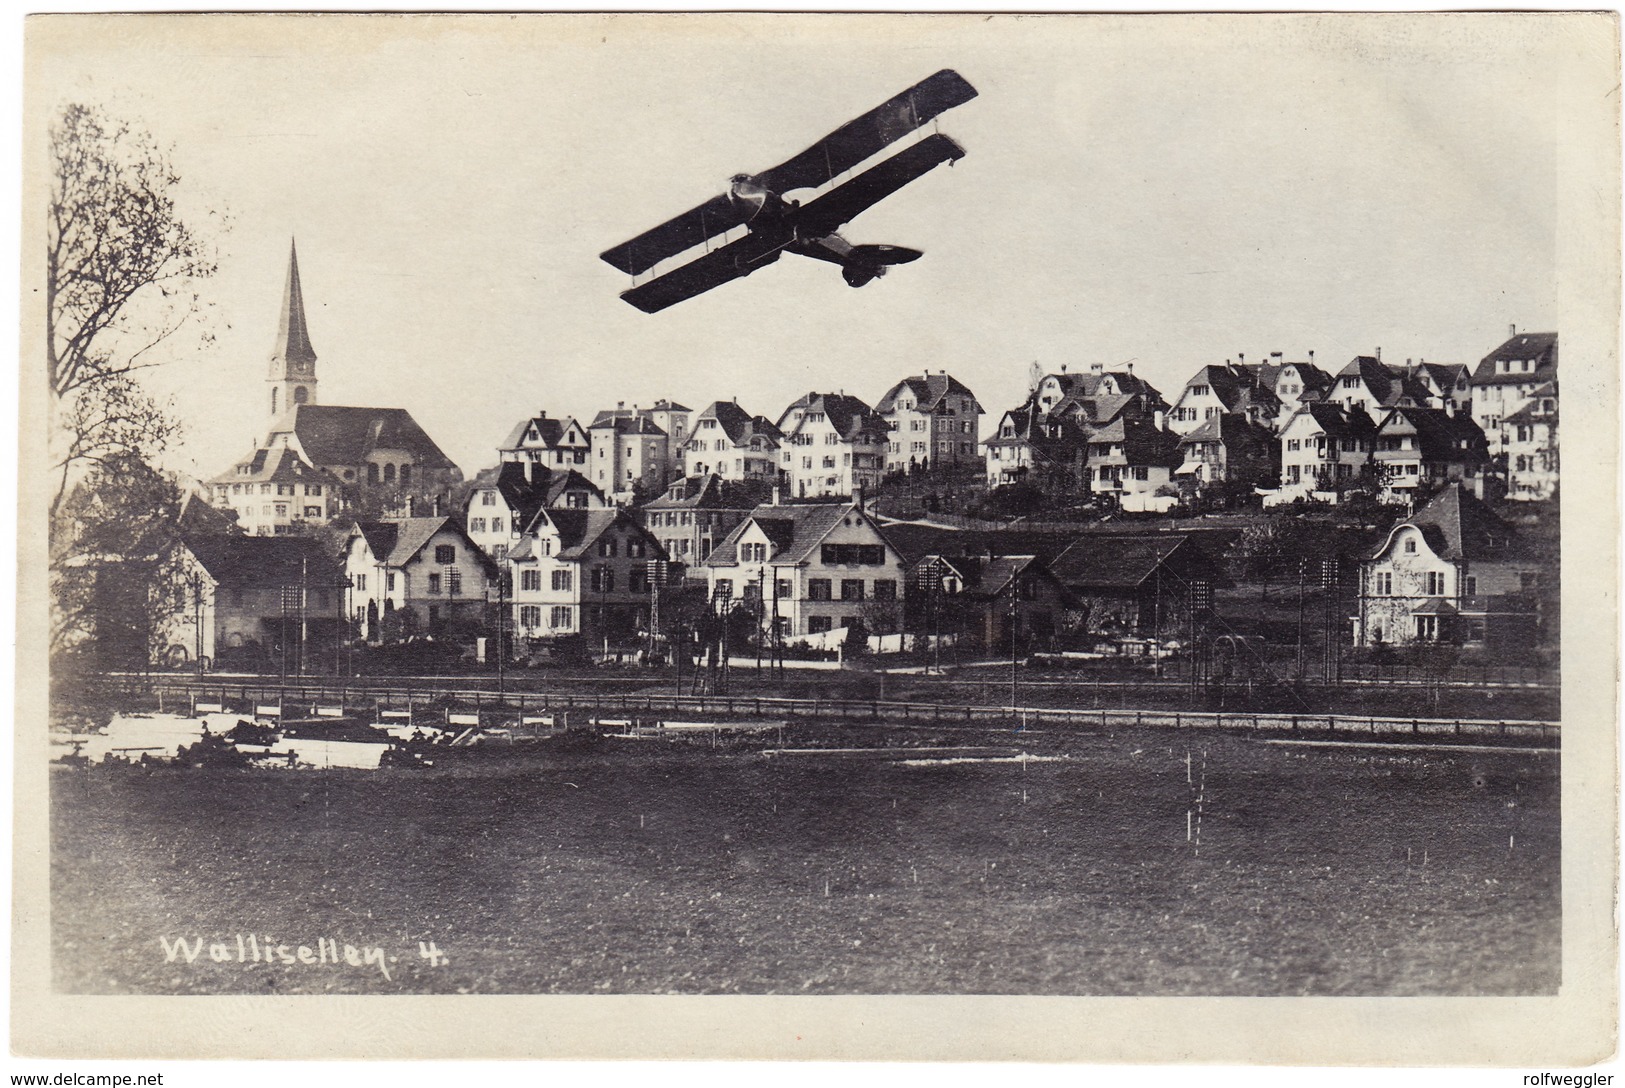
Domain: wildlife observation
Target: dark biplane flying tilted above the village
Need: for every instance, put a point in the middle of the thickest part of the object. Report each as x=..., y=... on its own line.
x=778, y=225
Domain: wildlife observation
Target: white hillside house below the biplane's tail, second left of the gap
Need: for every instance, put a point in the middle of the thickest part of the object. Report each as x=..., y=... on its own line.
x=834, y=446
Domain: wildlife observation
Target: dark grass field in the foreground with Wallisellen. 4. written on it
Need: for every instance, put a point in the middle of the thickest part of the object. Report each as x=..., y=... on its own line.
x=651, y=868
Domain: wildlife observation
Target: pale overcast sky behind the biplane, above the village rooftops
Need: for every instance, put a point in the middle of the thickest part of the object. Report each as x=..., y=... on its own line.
x=1169, y=192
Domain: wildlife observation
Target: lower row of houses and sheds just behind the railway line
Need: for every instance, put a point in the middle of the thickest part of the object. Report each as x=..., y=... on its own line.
x=807, y=572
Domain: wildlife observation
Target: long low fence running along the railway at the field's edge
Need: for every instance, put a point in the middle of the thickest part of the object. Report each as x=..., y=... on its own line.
x=498, y=709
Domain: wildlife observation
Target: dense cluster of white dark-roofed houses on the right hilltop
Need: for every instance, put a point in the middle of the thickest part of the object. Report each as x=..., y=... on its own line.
x=1293, y=426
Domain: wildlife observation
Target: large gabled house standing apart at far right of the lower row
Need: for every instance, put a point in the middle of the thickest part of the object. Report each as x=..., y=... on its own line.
x=1452, y=574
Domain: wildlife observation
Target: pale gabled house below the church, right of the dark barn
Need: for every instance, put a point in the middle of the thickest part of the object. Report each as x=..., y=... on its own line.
x=425, y=572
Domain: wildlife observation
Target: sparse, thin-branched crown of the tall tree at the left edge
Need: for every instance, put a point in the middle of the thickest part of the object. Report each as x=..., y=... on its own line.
x=121, y=274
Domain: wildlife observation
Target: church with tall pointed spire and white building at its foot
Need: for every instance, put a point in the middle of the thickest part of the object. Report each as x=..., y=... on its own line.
x=321, y=462
